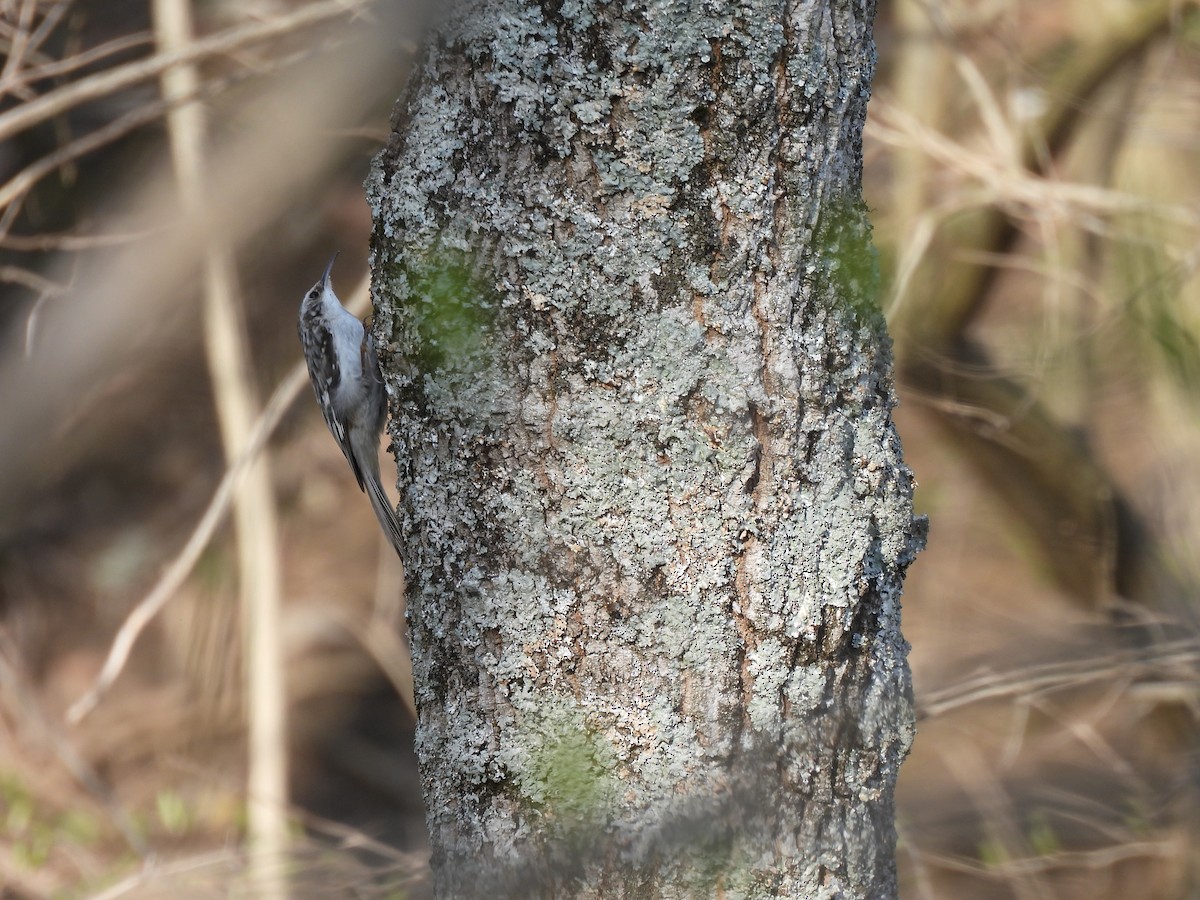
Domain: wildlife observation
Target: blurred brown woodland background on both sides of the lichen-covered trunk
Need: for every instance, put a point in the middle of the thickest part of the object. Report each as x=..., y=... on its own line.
x=1033, y=173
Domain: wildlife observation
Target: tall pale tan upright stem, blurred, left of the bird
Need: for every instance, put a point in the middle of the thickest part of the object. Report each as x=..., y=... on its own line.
x=231, y=371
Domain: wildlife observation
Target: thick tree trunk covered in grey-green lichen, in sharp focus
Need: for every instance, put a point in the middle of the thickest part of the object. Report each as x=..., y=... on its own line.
x=657, y=518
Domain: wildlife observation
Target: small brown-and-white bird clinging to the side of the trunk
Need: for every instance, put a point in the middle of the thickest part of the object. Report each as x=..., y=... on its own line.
x=345, y=373
